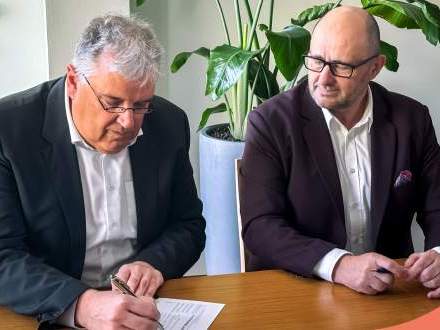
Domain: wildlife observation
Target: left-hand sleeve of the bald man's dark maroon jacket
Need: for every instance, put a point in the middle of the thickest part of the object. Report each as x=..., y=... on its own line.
x=268, y=227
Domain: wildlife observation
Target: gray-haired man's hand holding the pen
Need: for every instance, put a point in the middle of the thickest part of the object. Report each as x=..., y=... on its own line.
x=112, y=310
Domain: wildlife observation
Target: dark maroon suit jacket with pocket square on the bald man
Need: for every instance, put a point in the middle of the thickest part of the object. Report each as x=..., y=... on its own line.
x=292, y=207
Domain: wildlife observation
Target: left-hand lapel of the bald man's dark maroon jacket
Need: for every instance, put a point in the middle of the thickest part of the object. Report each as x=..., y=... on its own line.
x=320, y=145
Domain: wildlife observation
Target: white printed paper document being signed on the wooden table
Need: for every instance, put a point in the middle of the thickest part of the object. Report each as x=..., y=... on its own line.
x=178, y=314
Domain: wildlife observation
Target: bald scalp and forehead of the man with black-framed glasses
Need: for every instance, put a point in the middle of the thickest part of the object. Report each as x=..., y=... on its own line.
x=350, y=26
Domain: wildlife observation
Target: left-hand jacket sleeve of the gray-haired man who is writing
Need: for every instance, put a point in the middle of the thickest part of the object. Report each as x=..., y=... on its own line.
x=27, y=284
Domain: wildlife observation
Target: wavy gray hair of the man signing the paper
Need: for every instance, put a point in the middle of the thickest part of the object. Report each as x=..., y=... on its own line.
x=131, y=44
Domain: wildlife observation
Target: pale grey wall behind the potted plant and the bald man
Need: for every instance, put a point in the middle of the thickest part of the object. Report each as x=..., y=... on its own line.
x=187, y=25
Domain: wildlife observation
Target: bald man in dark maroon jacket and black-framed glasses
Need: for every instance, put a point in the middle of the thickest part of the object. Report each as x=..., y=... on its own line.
x=334, y=170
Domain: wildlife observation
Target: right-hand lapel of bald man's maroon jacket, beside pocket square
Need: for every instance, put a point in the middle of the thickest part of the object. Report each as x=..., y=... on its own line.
x=383, y=150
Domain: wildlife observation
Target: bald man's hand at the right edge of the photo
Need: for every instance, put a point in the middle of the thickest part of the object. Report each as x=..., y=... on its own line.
x=425, y=267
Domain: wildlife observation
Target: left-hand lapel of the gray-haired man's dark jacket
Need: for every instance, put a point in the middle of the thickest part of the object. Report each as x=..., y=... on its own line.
x=60, y=157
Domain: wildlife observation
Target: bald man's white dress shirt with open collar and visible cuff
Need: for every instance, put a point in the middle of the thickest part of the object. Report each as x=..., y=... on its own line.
x=352, y=149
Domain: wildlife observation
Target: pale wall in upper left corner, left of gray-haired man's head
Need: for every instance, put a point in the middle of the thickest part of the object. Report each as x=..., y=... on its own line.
x=38, y=37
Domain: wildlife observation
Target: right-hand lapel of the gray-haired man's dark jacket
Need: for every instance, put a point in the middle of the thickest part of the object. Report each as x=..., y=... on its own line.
x=144, y=166
